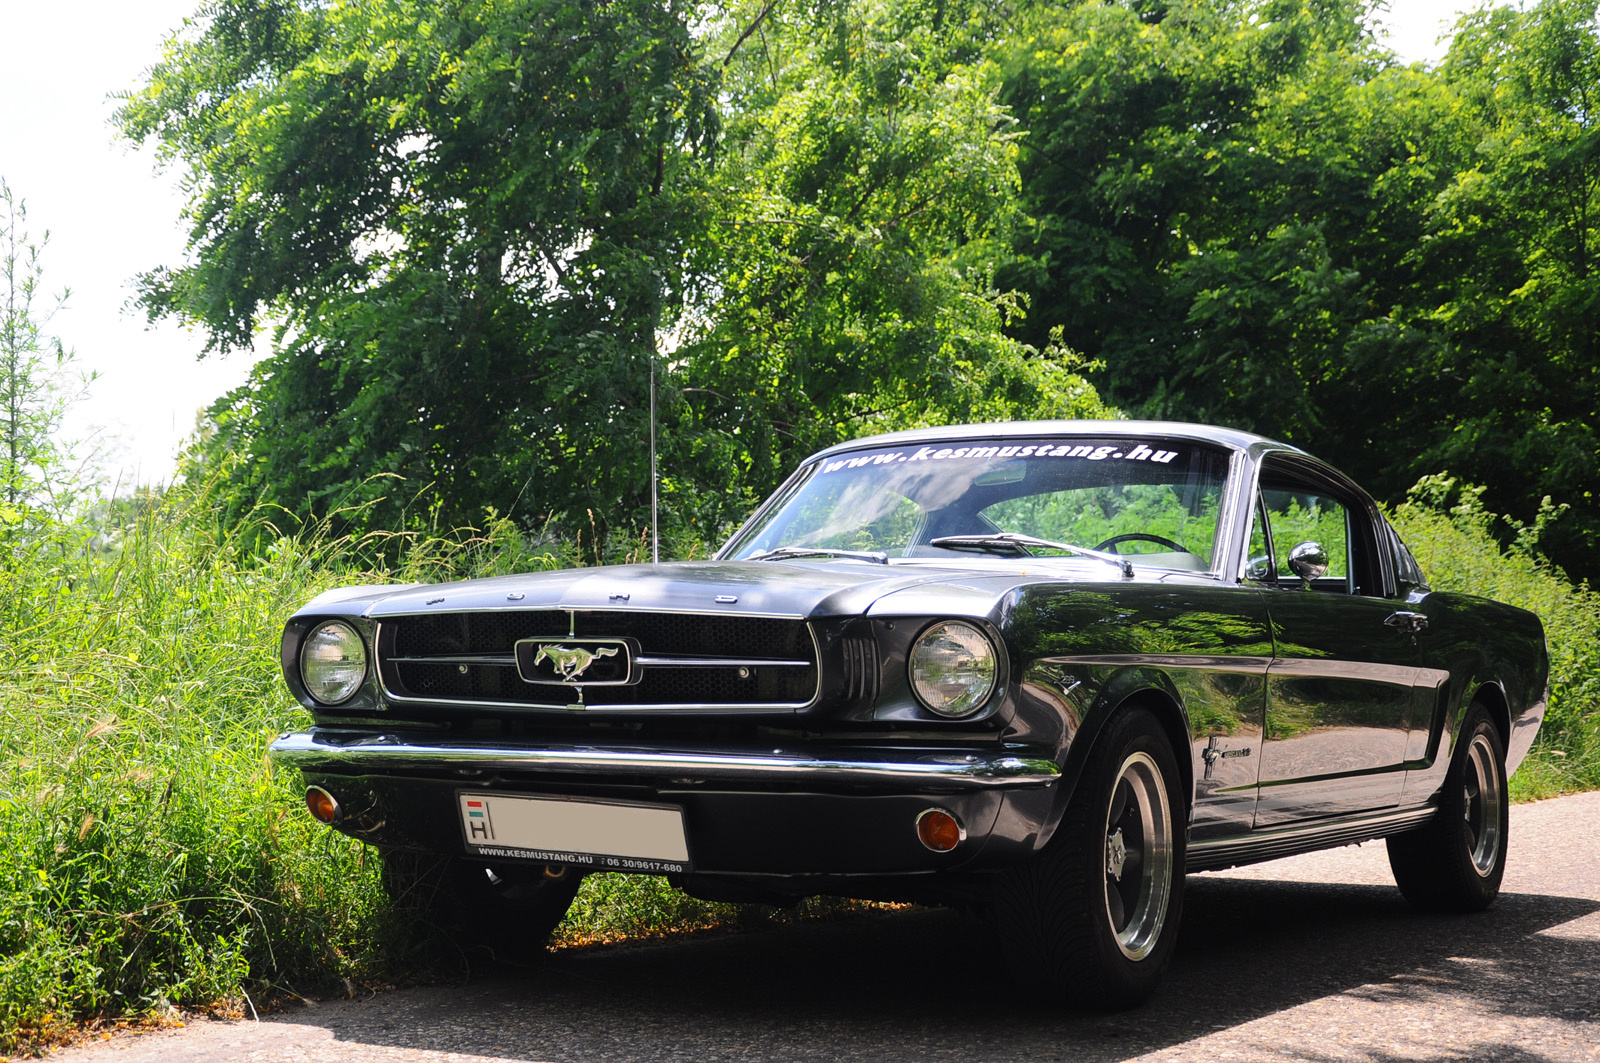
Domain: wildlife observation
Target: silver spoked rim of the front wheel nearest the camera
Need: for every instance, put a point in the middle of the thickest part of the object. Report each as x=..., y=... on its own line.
x=1138, y=856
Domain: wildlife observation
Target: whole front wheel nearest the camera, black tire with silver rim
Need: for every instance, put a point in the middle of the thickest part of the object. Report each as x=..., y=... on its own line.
x=1092, y=921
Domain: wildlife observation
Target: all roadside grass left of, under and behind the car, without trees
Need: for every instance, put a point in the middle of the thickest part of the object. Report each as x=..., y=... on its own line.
x=153, y=859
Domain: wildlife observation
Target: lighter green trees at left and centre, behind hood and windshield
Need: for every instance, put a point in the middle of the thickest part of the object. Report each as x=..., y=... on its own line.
x=474, y=228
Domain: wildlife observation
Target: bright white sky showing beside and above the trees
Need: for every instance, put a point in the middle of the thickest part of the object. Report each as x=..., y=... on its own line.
x=111, y=215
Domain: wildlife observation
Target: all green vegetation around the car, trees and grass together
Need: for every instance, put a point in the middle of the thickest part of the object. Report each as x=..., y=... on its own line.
x=478, y=255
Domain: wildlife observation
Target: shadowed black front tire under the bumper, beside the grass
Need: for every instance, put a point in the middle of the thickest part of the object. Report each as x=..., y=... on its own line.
x=506, y=910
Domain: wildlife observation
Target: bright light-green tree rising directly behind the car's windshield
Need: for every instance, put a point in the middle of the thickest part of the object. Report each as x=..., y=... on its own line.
x=865, y=193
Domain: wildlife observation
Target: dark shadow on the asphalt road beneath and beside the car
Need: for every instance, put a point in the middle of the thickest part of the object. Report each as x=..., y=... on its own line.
x=924, y=985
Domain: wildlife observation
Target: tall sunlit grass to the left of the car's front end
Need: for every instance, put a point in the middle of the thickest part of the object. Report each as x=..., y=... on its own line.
x=151, y=859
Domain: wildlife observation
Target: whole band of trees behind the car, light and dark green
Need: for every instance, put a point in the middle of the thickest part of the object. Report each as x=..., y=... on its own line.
x=476, y=230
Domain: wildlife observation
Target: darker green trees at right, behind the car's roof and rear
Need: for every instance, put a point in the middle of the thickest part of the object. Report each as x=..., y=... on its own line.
x=1254, y=215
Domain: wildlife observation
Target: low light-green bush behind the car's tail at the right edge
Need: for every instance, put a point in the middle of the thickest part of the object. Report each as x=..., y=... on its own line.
x=1450, y=532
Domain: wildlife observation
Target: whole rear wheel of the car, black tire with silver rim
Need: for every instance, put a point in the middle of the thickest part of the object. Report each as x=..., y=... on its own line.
x=1458, y=859
